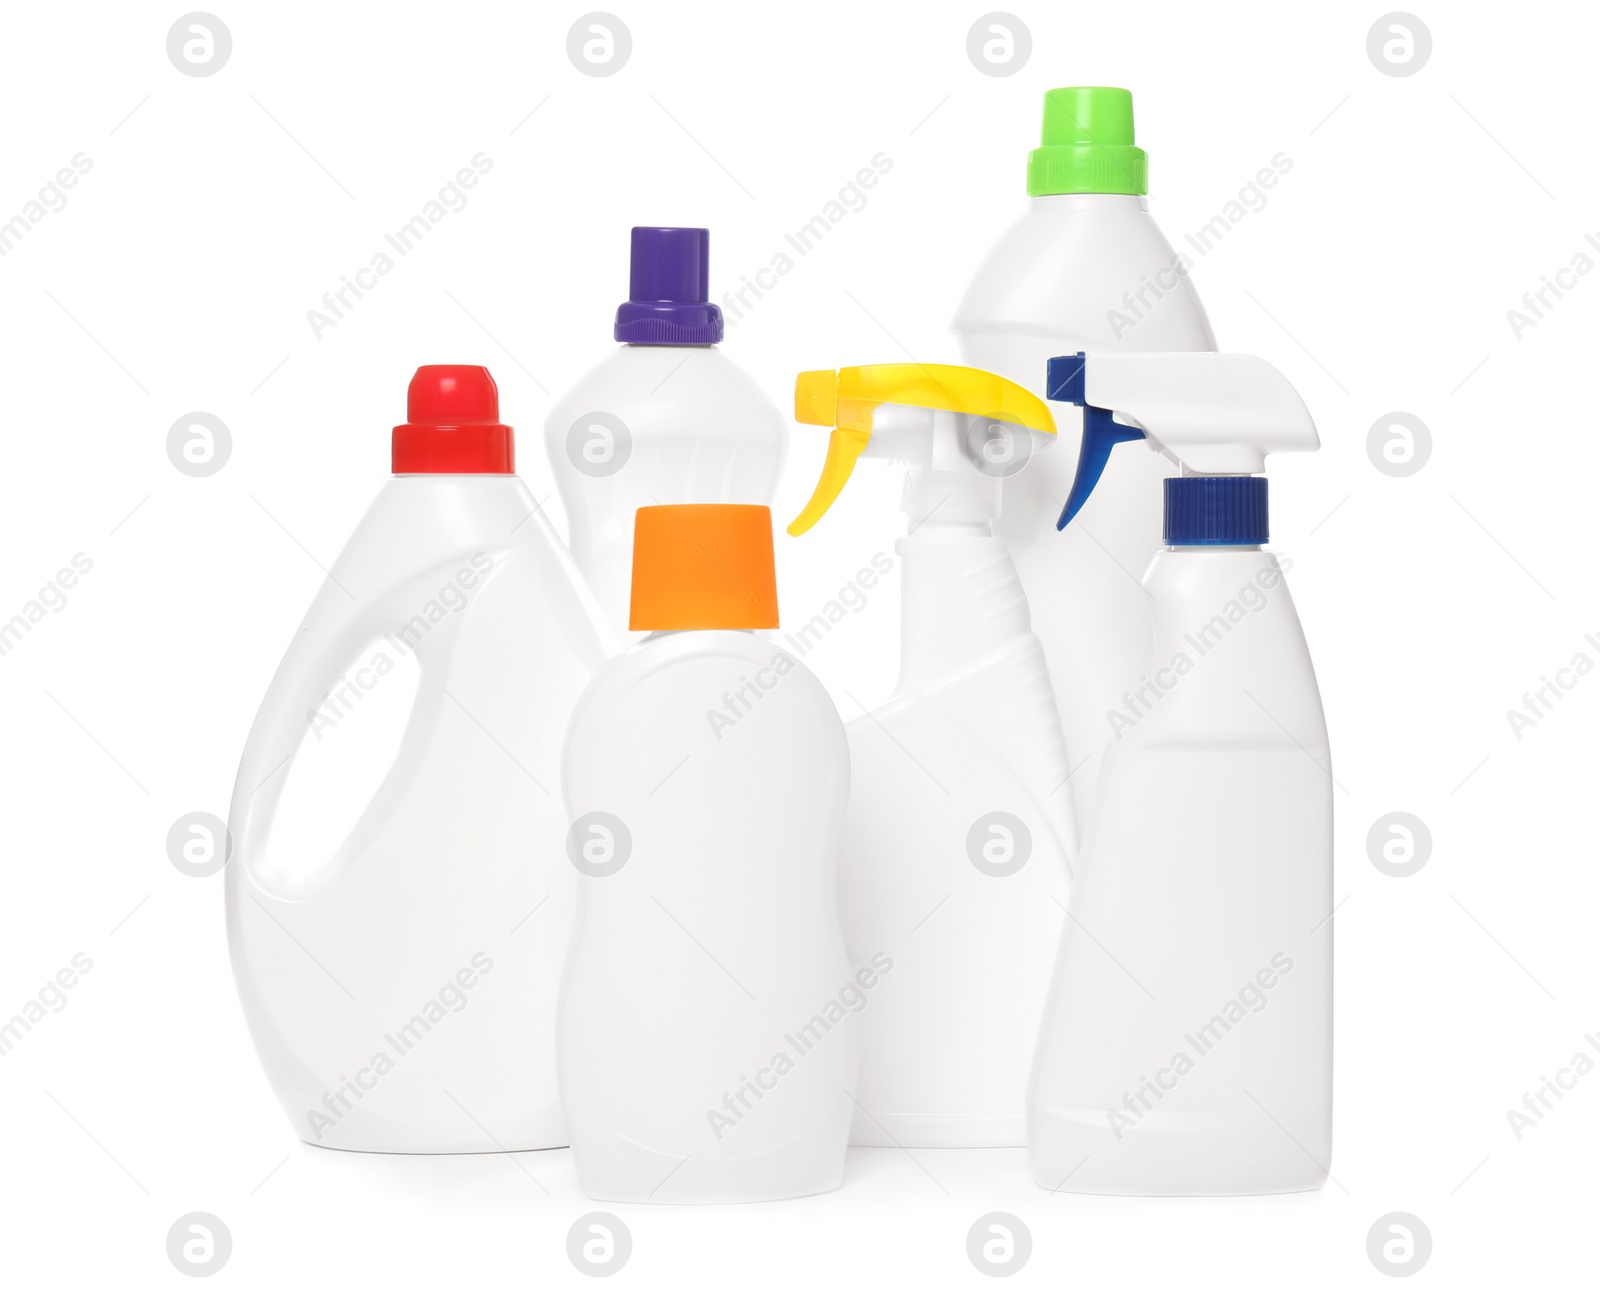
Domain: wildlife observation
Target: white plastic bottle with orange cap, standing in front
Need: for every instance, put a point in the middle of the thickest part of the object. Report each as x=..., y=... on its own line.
x=710, y=1013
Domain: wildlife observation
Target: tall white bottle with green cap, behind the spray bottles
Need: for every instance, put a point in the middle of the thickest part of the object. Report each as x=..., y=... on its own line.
x=1086, y=268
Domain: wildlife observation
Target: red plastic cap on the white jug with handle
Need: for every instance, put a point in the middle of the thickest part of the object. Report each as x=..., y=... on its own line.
x=454, y=425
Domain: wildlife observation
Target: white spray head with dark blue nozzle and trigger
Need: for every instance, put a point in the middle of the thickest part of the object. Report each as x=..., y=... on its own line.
x=1210, y=414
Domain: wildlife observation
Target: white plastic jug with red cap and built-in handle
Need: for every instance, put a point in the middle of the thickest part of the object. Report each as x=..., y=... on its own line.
x=401, y=978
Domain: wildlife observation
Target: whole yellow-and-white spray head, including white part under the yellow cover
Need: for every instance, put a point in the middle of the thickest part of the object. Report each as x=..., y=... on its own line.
x=919, y=414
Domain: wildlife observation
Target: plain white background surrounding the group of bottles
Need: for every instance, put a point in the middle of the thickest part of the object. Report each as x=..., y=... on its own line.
x=1378, y=278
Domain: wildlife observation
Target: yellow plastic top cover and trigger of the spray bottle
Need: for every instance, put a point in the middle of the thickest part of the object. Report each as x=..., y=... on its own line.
x=849, y=399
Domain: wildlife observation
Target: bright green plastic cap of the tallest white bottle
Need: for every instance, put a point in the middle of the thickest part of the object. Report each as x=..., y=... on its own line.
x=1087, y=145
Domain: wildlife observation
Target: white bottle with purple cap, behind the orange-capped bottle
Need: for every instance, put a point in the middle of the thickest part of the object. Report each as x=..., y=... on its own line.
x=666, y=418
